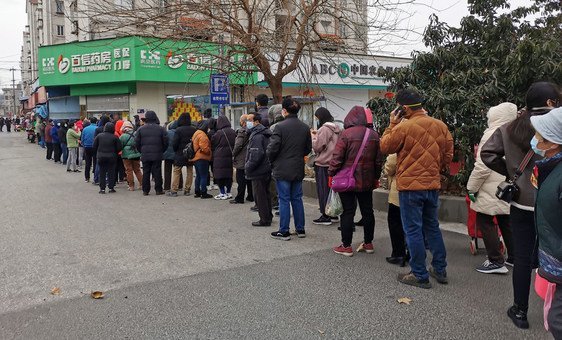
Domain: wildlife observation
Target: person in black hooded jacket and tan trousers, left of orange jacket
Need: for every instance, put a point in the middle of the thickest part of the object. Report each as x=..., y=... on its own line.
x=182, y=137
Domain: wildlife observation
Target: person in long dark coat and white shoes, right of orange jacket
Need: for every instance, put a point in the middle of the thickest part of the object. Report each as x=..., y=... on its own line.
x=222, y=144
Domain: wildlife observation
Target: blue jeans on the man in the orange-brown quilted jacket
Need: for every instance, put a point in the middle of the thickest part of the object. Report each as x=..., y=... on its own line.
x=419, y=210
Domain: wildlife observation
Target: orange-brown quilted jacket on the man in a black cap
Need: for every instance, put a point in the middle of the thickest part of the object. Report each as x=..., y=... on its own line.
x=425, y=148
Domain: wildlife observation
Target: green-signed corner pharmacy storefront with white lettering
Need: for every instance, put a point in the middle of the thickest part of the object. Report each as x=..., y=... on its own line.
x=131, y=75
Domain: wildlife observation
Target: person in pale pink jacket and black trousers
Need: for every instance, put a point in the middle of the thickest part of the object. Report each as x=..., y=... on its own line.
x=324, y=142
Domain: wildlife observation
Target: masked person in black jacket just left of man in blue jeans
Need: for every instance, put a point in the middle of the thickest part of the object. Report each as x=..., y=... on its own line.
x=258, y=169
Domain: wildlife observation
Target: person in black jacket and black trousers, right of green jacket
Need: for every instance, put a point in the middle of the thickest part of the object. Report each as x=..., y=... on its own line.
x=151, y=140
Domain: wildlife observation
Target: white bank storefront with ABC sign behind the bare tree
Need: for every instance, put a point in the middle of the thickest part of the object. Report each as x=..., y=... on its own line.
x=337, y=82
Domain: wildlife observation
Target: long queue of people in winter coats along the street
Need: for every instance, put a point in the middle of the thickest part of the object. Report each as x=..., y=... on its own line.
x=523, y=147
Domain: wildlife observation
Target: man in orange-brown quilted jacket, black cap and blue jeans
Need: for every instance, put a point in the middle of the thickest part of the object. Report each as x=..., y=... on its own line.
x=425, y=148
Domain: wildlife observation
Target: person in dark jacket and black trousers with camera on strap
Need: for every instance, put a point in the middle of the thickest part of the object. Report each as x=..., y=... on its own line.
x=508, y=149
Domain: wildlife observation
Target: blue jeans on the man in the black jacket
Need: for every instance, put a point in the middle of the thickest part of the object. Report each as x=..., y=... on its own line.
x=290, y=193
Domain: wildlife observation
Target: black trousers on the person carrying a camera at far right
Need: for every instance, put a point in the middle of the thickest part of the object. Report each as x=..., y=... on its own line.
x=525, y=254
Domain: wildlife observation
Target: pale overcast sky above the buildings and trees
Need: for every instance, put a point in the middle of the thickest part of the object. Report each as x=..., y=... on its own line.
x=13, y=20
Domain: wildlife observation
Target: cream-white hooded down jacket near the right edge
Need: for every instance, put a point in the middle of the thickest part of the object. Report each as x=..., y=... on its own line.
x=484, y=180
